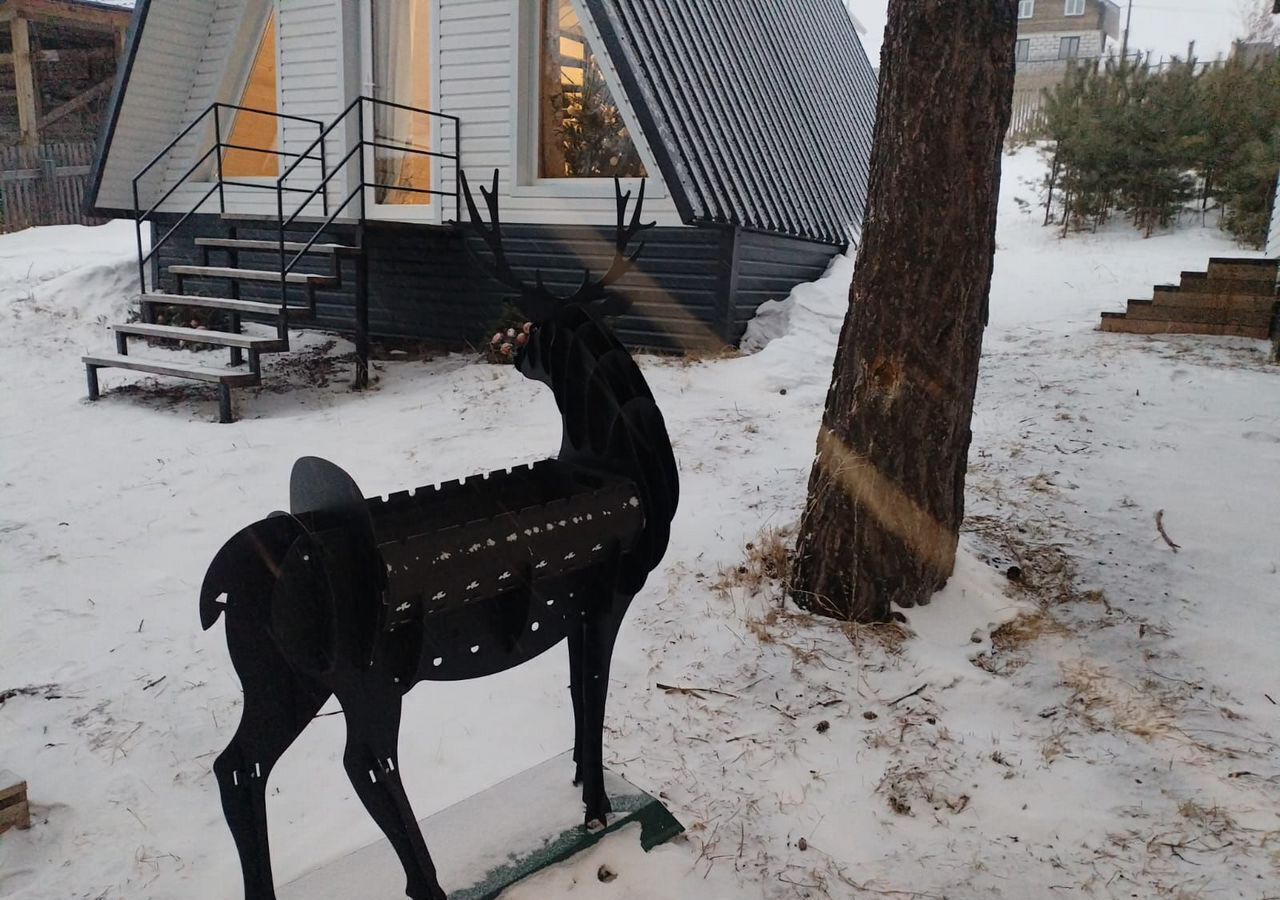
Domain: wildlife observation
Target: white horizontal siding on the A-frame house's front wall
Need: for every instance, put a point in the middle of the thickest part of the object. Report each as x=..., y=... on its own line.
x=481, y=79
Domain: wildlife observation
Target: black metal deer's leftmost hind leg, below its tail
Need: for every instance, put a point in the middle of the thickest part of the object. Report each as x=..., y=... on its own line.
x=278, y=705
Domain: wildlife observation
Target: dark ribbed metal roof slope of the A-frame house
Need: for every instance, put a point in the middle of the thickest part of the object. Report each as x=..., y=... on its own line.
x=761, y=112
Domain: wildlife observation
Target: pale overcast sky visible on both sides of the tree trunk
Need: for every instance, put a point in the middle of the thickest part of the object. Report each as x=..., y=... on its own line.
x=1162, y=26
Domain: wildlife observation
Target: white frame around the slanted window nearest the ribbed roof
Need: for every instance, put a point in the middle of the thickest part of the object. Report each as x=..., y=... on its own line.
x=528, y=76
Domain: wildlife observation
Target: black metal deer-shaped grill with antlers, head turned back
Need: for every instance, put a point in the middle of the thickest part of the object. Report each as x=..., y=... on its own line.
x=363, y=599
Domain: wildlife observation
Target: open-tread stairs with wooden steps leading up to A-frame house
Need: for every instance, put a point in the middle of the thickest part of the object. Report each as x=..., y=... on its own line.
x=234, y=312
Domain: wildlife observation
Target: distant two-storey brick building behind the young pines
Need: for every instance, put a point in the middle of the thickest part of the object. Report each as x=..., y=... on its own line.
x=1052, y=34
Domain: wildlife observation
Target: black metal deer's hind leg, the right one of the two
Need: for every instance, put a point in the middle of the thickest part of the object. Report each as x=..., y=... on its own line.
x=373, y=734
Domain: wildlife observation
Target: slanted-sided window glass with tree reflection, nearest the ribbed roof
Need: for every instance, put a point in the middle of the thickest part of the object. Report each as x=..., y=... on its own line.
x=580, y=129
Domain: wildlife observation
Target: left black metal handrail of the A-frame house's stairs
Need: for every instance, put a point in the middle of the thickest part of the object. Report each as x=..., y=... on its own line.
x=141, y=217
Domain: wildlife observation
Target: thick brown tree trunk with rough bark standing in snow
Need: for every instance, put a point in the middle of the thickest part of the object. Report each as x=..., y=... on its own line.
x=886, y=494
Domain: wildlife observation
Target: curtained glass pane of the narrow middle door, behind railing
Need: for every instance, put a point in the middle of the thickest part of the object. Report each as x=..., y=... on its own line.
x=403, y=75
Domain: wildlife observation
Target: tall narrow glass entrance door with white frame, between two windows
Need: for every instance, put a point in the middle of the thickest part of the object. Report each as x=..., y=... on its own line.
x=399, y=72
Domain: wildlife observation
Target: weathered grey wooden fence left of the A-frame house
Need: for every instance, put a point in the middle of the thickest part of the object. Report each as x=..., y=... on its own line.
x=45, y=185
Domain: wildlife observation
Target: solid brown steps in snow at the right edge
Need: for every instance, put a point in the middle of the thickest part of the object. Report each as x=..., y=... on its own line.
x=1236, y=298
